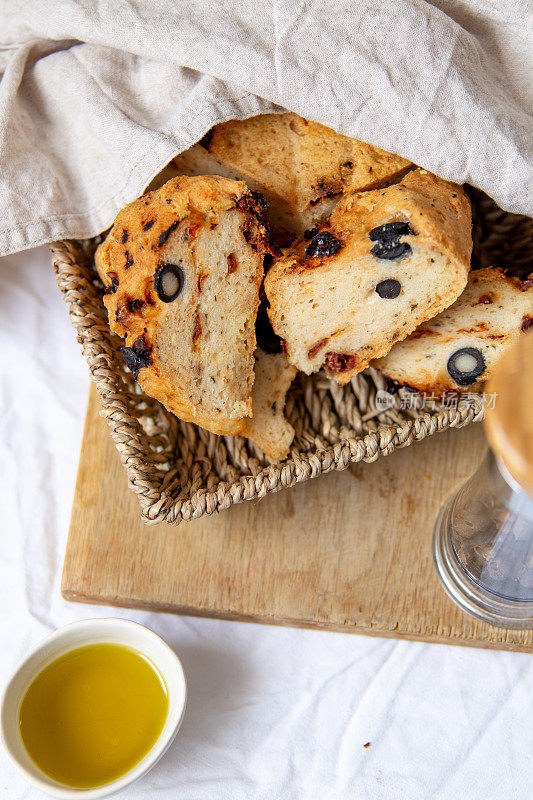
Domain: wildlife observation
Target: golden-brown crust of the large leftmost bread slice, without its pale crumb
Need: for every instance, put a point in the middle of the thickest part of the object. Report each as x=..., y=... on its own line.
x=129, y=258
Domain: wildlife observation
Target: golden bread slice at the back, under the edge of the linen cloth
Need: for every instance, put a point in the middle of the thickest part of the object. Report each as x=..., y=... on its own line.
x=302, y=168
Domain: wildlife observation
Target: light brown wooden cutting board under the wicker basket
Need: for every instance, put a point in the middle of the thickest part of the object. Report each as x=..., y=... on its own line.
x=349, y=551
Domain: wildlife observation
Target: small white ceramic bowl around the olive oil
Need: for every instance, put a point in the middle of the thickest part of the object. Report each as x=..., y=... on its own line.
x=78, y=634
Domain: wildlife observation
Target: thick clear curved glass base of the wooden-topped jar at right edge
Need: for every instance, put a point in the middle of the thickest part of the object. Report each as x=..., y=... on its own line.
x=463, y=590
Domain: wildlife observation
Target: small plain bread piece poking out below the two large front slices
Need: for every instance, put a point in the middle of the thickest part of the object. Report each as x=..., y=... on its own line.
x=268, y=427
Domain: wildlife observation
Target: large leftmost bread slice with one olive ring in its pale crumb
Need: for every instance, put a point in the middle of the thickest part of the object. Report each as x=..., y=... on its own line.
x=183, y=266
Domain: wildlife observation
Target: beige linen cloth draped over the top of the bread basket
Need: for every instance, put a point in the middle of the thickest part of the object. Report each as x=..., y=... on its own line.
x=96, y=97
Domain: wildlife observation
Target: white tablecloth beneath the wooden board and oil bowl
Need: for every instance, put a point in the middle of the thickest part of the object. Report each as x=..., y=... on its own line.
x=274, y=713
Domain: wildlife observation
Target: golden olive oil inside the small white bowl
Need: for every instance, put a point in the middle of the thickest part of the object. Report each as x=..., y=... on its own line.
x=92, y=714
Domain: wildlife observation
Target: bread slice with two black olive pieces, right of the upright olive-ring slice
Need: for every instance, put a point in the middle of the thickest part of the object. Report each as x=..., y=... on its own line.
x=384, y=262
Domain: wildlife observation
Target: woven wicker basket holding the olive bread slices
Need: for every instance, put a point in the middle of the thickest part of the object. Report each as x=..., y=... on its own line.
x=180, y=471
